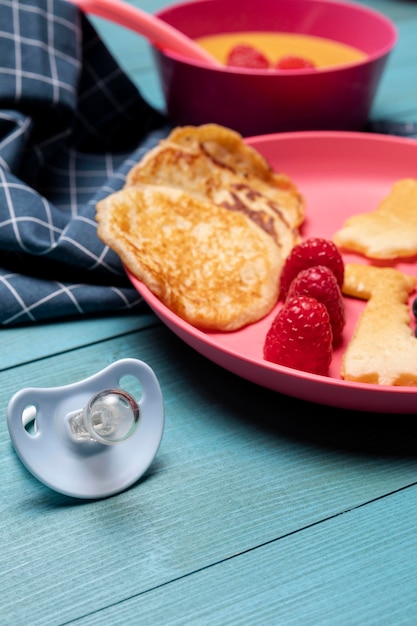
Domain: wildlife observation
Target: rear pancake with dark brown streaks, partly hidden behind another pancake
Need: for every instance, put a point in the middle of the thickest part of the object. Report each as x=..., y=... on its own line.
x=214, y=163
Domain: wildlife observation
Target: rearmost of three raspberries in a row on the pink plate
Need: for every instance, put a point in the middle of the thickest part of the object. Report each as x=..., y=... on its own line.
x=313, y=251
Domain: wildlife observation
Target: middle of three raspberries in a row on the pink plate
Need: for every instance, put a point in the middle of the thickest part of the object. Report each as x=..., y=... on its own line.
x=319, y=282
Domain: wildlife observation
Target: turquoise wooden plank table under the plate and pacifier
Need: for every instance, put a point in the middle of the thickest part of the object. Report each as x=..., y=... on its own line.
x=258, y=508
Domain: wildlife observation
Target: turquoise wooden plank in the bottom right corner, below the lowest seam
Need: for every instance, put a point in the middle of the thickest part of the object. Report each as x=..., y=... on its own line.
x=358, y=568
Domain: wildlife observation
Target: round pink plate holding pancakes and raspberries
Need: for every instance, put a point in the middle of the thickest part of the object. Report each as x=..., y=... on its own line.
x=339, y=173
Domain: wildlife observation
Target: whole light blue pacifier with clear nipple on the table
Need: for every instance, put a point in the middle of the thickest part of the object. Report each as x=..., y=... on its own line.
x=90, y=439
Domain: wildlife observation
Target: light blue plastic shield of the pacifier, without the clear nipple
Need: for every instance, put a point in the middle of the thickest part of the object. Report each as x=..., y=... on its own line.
x=88, y=469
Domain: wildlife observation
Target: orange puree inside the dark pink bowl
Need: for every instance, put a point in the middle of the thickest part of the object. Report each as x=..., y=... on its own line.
x=322, y=52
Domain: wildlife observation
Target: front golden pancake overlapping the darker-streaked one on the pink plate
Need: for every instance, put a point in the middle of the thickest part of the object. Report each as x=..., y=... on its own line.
x=215, y=268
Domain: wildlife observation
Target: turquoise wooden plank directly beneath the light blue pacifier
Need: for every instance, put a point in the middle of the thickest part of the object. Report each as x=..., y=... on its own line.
x=236, y=470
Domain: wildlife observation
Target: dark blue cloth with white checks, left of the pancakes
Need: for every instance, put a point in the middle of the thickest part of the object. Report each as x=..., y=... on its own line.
x=71, y=126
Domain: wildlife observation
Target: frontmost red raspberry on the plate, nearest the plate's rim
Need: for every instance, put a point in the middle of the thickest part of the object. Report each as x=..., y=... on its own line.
x=301, y=336
